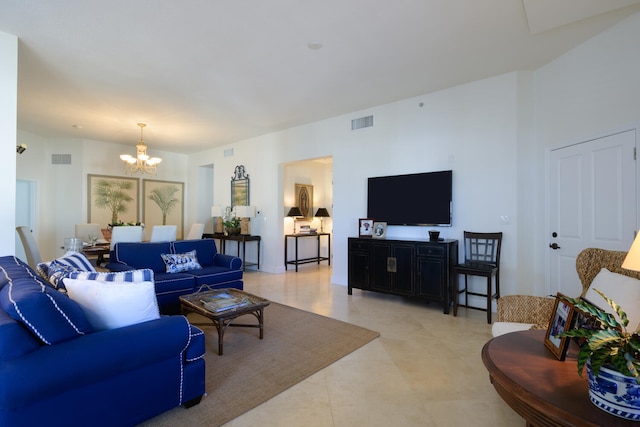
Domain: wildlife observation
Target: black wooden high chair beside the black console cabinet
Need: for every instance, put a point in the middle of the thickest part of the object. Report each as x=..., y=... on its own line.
x=481, y=258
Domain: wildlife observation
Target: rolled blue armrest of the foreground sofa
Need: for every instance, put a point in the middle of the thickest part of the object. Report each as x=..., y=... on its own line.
x=93, y=357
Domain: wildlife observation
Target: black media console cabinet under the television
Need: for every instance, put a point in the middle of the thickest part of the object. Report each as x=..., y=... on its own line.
x=412, y=268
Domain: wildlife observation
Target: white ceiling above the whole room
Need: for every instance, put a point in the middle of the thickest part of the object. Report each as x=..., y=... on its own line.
x=203, y=73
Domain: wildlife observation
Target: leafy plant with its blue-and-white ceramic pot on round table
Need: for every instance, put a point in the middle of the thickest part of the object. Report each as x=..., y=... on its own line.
x=612, y=356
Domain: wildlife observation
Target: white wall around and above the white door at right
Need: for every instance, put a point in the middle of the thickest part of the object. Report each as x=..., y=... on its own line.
x=589, y=91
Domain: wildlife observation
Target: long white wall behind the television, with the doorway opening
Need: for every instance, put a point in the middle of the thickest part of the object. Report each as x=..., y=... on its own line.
x=471, y=129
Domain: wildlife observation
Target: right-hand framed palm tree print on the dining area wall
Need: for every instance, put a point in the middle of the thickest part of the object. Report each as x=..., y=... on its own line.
x=163, y=204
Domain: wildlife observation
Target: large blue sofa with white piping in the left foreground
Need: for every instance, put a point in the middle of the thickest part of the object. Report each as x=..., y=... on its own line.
x=55, y=370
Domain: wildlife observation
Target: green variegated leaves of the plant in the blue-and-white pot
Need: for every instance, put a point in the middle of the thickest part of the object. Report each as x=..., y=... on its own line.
x=607, y=342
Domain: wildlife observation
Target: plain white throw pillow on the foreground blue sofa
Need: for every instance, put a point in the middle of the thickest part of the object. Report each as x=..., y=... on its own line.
x=110, y=305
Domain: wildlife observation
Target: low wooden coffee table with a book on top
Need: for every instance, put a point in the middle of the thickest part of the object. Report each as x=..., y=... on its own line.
x=191, y=303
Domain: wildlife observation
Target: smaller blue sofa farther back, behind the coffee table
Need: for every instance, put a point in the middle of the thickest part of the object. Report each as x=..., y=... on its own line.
x=218, y=270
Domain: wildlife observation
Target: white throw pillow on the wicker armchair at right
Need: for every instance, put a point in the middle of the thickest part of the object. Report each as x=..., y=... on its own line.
x=624, y=290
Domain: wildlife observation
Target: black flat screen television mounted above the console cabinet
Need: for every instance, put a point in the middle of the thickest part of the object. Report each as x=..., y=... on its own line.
x=413, y=199
